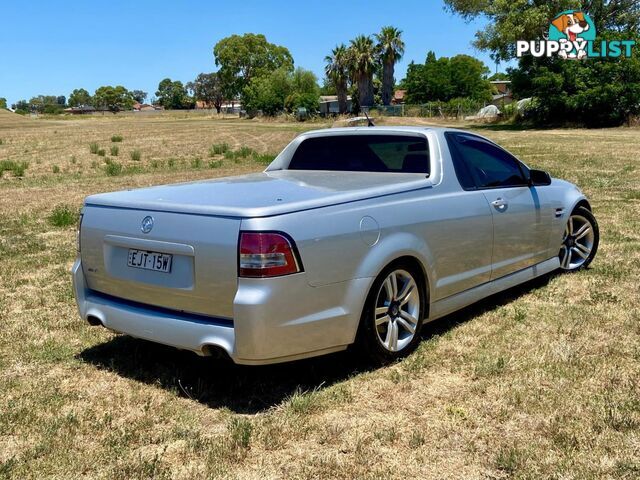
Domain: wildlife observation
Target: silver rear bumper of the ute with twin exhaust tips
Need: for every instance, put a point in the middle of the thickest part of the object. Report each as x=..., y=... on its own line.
x=275, y=320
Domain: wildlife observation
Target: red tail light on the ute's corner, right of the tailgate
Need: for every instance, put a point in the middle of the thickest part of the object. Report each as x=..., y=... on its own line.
x=267, y=254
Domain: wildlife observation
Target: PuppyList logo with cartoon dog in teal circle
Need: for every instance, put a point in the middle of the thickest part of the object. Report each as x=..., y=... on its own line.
x=572, y=35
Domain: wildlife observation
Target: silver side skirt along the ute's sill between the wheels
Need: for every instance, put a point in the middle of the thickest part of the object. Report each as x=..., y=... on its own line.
x=444, y=306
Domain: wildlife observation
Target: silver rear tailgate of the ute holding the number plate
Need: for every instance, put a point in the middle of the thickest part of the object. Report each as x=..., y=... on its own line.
x=195, y=271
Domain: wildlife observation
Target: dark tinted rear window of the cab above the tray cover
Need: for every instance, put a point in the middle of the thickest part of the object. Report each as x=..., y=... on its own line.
x=363, y=153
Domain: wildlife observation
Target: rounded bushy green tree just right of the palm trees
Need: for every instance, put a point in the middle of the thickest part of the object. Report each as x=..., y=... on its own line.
x=443, y=79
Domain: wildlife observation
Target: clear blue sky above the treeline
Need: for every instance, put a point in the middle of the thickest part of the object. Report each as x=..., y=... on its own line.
x=51, y=48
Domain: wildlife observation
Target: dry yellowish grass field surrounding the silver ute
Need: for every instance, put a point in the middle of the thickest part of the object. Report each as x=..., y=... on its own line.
x=542, y=381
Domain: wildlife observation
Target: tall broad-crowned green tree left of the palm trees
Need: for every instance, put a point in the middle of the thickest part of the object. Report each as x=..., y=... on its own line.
x=244, y=57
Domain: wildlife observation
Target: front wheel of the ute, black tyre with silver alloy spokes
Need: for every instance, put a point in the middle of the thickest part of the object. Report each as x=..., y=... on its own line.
x=579, y=241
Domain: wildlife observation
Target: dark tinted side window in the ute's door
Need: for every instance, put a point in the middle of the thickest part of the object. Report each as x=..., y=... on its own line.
x=489, y=165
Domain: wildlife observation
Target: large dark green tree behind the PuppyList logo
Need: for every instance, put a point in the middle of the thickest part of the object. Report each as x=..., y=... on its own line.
x=595, y=92
